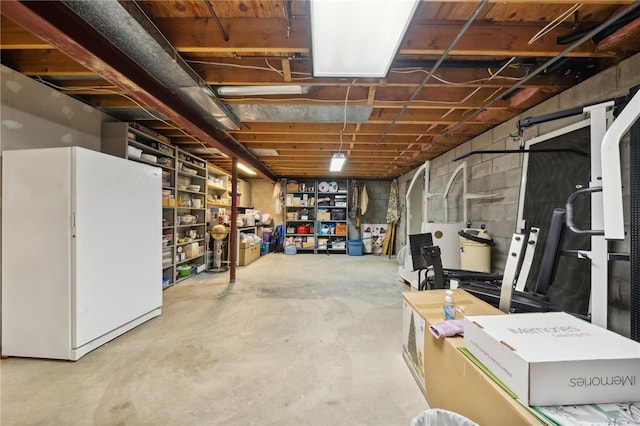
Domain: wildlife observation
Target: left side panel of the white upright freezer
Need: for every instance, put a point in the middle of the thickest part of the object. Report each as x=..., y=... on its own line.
x=36, y=248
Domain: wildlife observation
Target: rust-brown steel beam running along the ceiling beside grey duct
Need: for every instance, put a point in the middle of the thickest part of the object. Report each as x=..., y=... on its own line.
x=58, y=25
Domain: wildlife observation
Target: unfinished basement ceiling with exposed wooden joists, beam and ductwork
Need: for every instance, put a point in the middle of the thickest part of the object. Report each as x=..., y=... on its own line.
x=502, y=58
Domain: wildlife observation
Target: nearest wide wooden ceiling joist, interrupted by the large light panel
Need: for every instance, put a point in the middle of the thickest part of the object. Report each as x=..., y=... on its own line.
x=502, y=39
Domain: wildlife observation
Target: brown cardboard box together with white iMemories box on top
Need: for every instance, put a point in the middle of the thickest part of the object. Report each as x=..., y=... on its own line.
x=505, y=364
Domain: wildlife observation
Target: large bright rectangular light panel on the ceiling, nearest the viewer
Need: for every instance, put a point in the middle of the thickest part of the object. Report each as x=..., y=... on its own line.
x=357, y=38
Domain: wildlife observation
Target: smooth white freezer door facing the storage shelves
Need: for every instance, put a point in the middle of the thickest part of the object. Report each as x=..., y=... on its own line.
x=117, y=243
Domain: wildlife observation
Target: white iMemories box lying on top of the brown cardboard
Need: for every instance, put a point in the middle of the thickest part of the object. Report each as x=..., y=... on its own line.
x=554, y=358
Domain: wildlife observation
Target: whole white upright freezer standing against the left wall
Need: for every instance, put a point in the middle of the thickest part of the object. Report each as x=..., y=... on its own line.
x=82, y=250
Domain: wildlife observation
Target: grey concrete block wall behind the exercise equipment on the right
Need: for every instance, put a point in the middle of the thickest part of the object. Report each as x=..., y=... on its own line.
x=501, y=174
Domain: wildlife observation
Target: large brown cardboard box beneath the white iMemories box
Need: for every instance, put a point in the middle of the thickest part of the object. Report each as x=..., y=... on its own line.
x=452, y=381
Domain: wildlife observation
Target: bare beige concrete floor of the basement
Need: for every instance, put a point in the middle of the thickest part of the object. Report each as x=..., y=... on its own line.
x=297, y=340
